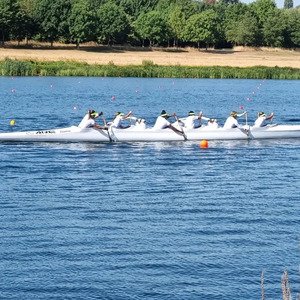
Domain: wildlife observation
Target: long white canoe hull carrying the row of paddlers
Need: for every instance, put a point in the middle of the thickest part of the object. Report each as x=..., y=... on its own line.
x=137, y=134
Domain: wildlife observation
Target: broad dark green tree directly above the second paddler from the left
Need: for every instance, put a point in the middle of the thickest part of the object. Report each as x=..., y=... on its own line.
x=112, y=24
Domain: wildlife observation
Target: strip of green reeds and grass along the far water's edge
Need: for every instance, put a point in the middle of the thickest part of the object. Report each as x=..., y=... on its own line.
x=11, y=67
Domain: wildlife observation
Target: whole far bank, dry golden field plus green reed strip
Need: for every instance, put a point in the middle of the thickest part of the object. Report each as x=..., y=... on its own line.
x=65, y=60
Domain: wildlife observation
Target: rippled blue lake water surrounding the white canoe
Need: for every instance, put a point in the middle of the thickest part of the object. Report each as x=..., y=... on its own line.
x=147, y=220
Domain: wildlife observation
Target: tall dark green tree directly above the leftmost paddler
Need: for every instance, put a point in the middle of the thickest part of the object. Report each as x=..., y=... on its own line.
x=81, y=22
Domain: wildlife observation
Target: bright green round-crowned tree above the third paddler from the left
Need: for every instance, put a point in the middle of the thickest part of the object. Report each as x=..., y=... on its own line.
x=151, y=26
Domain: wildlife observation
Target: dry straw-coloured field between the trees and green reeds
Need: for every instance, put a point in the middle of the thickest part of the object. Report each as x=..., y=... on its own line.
x=124, y=56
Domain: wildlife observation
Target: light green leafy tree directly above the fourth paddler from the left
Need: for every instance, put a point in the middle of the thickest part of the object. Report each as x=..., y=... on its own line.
x=201, y=28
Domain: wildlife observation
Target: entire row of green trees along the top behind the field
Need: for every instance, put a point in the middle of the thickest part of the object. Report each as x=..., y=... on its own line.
x=178, y=23
